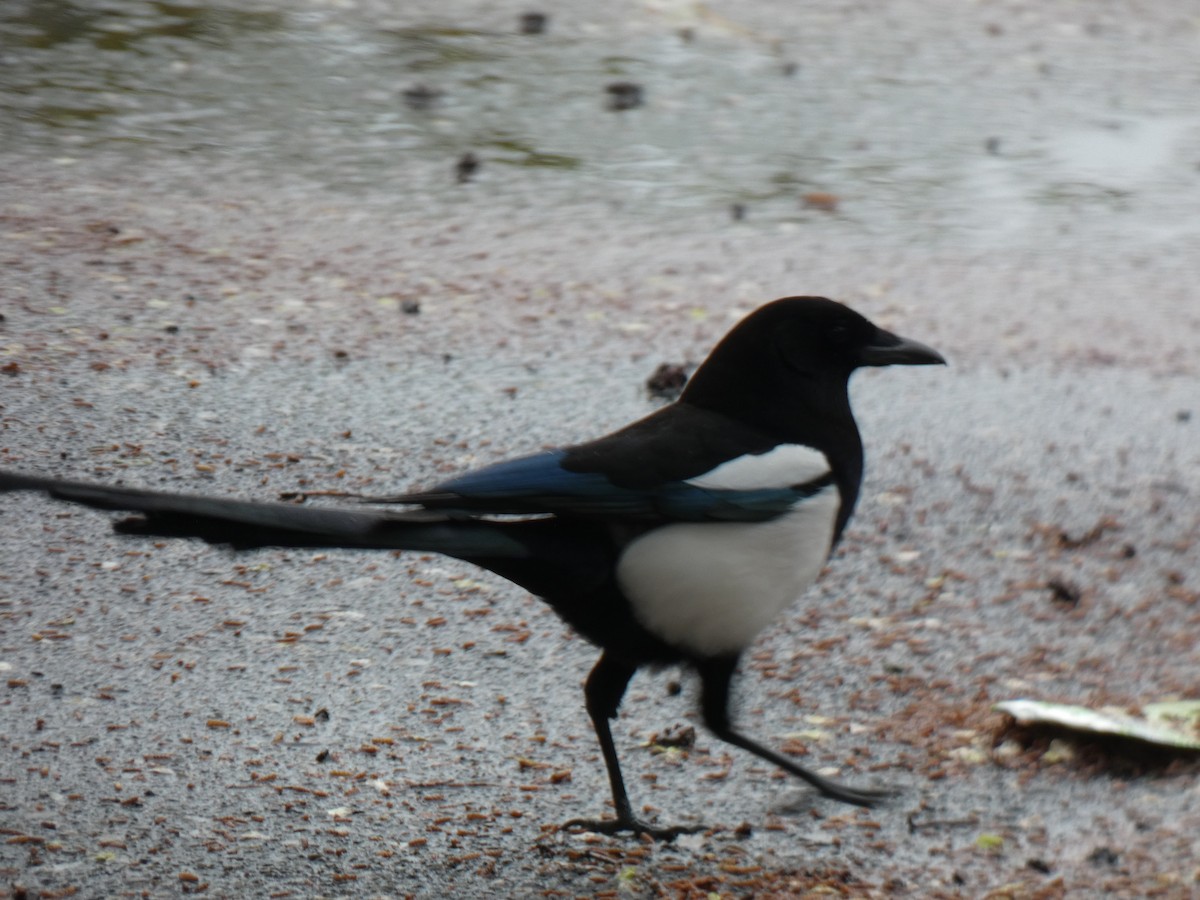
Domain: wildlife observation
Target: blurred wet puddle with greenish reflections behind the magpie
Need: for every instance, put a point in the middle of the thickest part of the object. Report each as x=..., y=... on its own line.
x=915, y=124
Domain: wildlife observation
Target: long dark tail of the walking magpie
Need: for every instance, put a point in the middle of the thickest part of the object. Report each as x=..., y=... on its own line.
x=247, y=525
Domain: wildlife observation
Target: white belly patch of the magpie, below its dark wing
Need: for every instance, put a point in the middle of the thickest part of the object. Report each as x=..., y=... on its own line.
x=712, y=587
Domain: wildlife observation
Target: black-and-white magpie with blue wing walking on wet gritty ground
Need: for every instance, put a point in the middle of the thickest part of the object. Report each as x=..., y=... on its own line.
x=674, y=541
